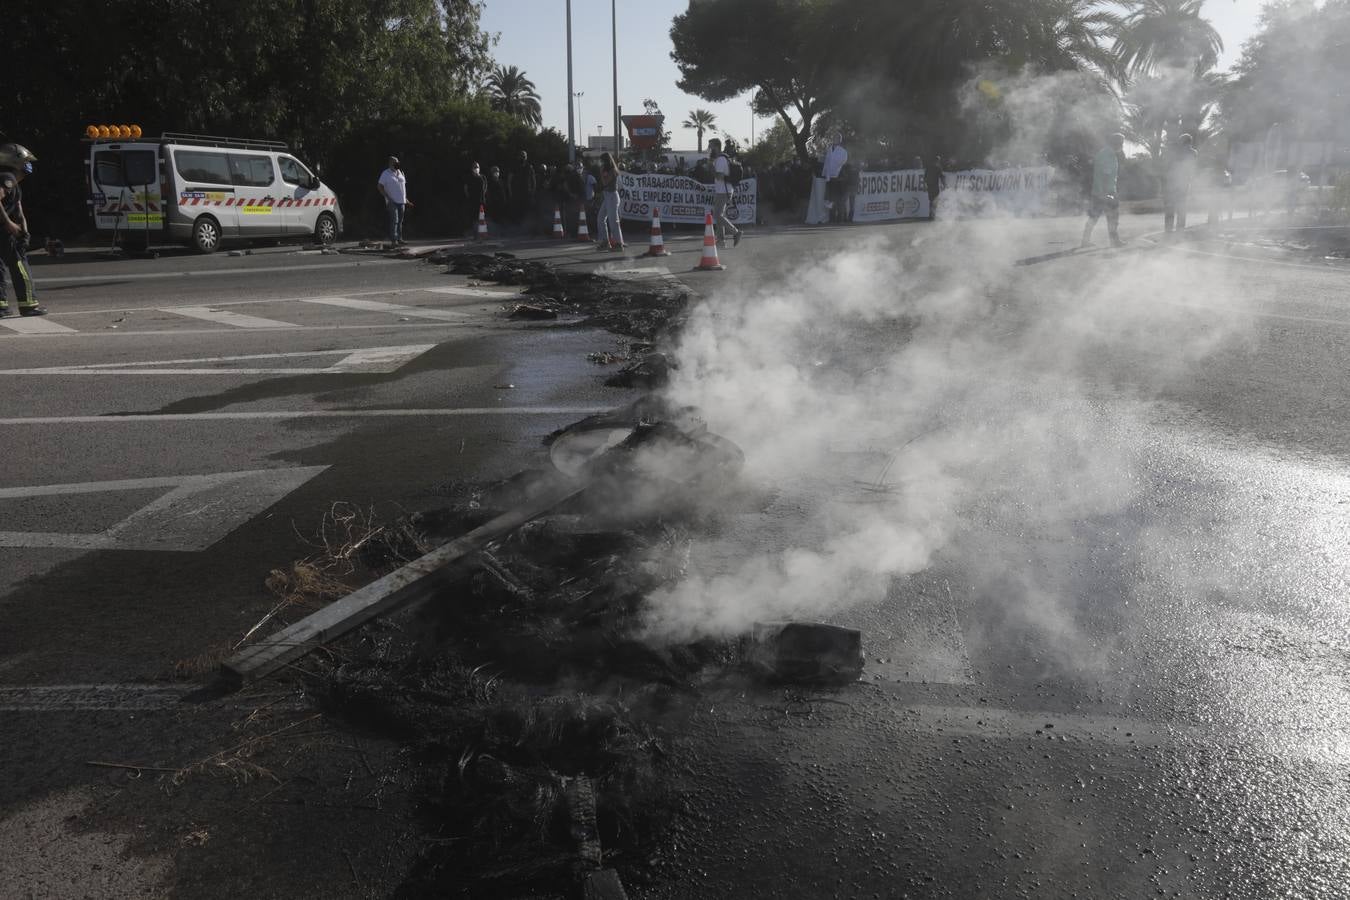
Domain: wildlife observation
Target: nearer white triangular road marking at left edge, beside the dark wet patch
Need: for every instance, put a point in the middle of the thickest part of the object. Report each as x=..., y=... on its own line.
x=195, y=513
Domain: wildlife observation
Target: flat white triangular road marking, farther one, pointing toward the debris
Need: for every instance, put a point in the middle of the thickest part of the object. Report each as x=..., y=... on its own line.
x=371, y=361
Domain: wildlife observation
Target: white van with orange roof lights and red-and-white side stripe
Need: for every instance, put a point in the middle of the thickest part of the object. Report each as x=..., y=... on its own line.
x=206, y=191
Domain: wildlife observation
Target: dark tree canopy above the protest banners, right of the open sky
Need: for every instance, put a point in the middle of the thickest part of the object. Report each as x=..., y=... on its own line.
x=897, y=74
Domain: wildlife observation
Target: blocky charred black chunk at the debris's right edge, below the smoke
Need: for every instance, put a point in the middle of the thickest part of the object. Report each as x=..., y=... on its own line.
x=809, y=654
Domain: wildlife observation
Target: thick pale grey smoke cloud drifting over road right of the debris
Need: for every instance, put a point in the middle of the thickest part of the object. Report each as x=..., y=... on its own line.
x=917, y=397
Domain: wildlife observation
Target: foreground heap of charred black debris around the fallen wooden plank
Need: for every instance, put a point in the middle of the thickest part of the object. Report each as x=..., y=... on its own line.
x=523, y=689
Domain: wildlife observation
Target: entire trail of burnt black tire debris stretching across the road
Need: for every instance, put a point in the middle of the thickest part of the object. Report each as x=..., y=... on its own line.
x=539, y=724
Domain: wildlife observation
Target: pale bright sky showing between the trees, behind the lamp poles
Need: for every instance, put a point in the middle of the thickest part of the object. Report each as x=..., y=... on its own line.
x=534, y=37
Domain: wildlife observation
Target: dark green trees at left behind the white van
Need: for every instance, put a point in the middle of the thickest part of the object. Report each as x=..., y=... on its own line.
x=330, y=78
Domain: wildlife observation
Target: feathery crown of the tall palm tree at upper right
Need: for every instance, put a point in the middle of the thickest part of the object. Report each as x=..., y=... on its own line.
x=1159, y=34
